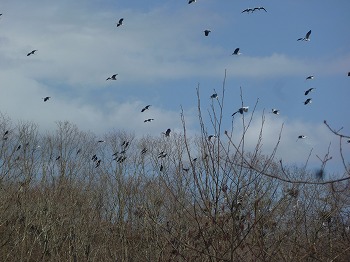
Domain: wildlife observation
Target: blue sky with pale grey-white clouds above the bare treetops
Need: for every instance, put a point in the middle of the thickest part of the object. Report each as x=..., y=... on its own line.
x=161, y=57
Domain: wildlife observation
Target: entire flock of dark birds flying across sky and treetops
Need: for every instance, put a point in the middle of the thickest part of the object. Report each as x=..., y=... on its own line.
x=120, y=156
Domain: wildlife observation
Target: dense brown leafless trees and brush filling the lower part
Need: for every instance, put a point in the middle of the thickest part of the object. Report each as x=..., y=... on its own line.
x=65, y=196
